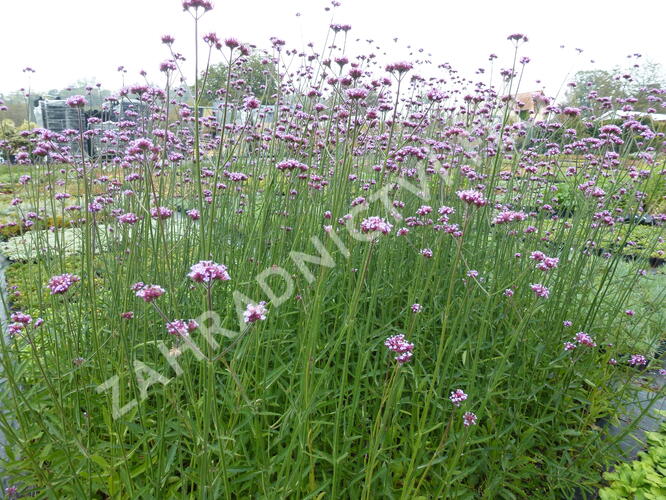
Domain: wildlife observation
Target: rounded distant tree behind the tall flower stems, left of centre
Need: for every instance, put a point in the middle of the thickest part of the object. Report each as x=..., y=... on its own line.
x=248, y=76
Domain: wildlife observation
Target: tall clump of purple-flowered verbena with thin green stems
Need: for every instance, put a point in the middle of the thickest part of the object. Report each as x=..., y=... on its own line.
x=383, y=286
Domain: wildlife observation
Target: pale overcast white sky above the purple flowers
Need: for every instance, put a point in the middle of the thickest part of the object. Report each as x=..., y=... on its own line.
x=68, y=40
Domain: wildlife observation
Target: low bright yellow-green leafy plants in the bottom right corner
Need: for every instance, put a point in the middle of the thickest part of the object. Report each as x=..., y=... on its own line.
x=644, y=478
